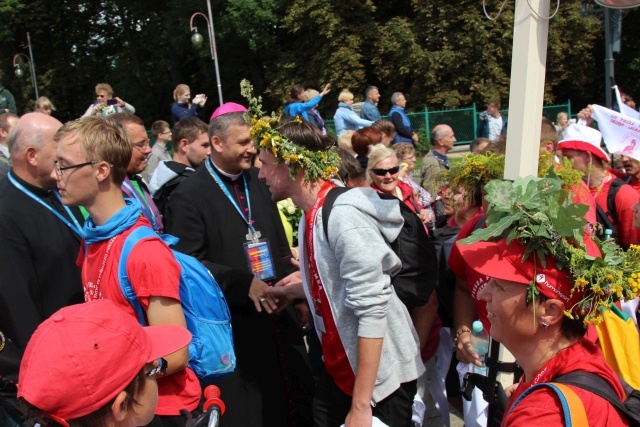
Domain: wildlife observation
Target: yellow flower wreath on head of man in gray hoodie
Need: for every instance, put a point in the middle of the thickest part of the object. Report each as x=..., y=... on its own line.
x=264, y=130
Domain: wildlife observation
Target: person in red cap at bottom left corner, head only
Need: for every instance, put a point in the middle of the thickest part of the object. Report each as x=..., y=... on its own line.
x=92, y=364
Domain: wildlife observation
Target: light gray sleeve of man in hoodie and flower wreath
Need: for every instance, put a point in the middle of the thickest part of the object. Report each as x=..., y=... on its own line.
x=368, y=287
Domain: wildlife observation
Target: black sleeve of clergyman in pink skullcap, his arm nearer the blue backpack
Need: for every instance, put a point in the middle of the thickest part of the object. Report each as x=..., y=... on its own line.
x=186, y=223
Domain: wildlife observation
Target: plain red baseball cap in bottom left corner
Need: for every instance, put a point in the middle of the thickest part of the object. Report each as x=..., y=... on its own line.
x=81, y=357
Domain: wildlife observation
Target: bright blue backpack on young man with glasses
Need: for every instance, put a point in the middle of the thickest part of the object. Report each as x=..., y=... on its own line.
x=211, y=353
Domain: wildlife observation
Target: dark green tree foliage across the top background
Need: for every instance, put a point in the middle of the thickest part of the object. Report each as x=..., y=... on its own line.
x=440, y=54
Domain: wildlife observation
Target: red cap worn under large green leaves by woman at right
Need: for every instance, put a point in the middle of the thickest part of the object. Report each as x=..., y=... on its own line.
x=504, y=261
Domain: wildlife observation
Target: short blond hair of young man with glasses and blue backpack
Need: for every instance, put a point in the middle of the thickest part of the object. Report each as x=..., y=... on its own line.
x=102, y=138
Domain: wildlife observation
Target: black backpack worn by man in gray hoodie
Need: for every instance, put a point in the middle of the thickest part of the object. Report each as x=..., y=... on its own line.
x=419, y=274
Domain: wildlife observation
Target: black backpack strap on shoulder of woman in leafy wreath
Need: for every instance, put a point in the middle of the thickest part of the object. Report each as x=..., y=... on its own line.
x=600, y=387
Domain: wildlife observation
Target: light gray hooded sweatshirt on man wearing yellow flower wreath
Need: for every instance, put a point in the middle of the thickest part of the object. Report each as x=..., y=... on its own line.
x=354, y=265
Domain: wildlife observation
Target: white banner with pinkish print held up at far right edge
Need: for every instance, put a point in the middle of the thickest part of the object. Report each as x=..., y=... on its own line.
x=621, y=133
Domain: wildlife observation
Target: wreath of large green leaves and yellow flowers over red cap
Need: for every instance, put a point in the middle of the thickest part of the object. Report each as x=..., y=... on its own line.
x=539, y=213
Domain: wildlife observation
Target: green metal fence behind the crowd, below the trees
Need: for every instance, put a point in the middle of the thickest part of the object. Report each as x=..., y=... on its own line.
x=463, y=121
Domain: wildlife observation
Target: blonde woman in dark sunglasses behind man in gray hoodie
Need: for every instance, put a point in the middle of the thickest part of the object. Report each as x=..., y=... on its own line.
x=383, y=175
